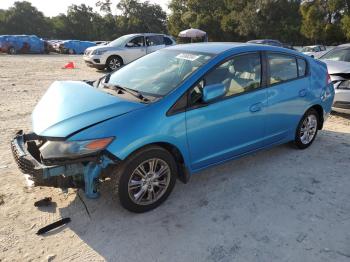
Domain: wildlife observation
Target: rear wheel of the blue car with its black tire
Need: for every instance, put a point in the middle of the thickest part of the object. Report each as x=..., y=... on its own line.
x=301, y=142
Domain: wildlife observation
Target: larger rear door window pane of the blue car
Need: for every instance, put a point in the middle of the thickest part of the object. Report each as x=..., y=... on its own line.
x=282, y=68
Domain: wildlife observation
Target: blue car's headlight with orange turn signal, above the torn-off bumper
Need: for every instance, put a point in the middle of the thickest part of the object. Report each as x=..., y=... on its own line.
x=73, y=149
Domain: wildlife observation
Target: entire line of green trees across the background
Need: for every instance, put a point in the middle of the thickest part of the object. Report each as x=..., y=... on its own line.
x=295, y=22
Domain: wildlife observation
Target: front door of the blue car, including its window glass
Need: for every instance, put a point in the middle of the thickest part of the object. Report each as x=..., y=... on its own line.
x=235, y=124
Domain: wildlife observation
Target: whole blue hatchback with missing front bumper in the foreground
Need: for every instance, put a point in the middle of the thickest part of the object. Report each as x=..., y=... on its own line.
x=171, y=114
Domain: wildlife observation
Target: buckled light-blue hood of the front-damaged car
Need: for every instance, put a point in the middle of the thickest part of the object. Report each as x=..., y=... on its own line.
x=69, y=106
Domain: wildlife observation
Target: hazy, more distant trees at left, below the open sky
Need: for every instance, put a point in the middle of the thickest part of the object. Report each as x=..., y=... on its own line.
x=83, y=23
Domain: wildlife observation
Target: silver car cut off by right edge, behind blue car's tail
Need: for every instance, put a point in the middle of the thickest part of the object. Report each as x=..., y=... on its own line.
x=338, y=62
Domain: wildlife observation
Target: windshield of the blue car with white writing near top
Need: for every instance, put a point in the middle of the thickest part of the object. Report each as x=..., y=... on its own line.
x=160, y=72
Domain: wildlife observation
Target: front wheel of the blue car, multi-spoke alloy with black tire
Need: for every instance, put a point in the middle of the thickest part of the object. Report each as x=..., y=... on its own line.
x=147, y=179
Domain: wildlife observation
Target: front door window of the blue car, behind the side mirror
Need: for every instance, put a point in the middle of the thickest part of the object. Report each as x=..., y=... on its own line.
x=239, y=75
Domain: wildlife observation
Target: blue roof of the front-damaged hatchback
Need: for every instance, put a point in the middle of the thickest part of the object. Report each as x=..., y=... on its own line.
x=219, y=47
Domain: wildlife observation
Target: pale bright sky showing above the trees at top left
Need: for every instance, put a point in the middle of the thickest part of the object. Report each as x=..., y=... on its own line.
x=54, y=7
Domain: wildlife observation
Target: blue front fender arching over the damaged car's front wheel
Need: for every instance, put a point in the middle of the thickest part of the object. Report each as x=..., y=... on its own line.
x=138, y=129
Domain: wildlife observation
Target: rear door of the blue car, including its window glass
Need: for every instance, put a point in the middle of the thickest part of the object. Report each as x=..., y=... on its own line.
x=287, y=94
